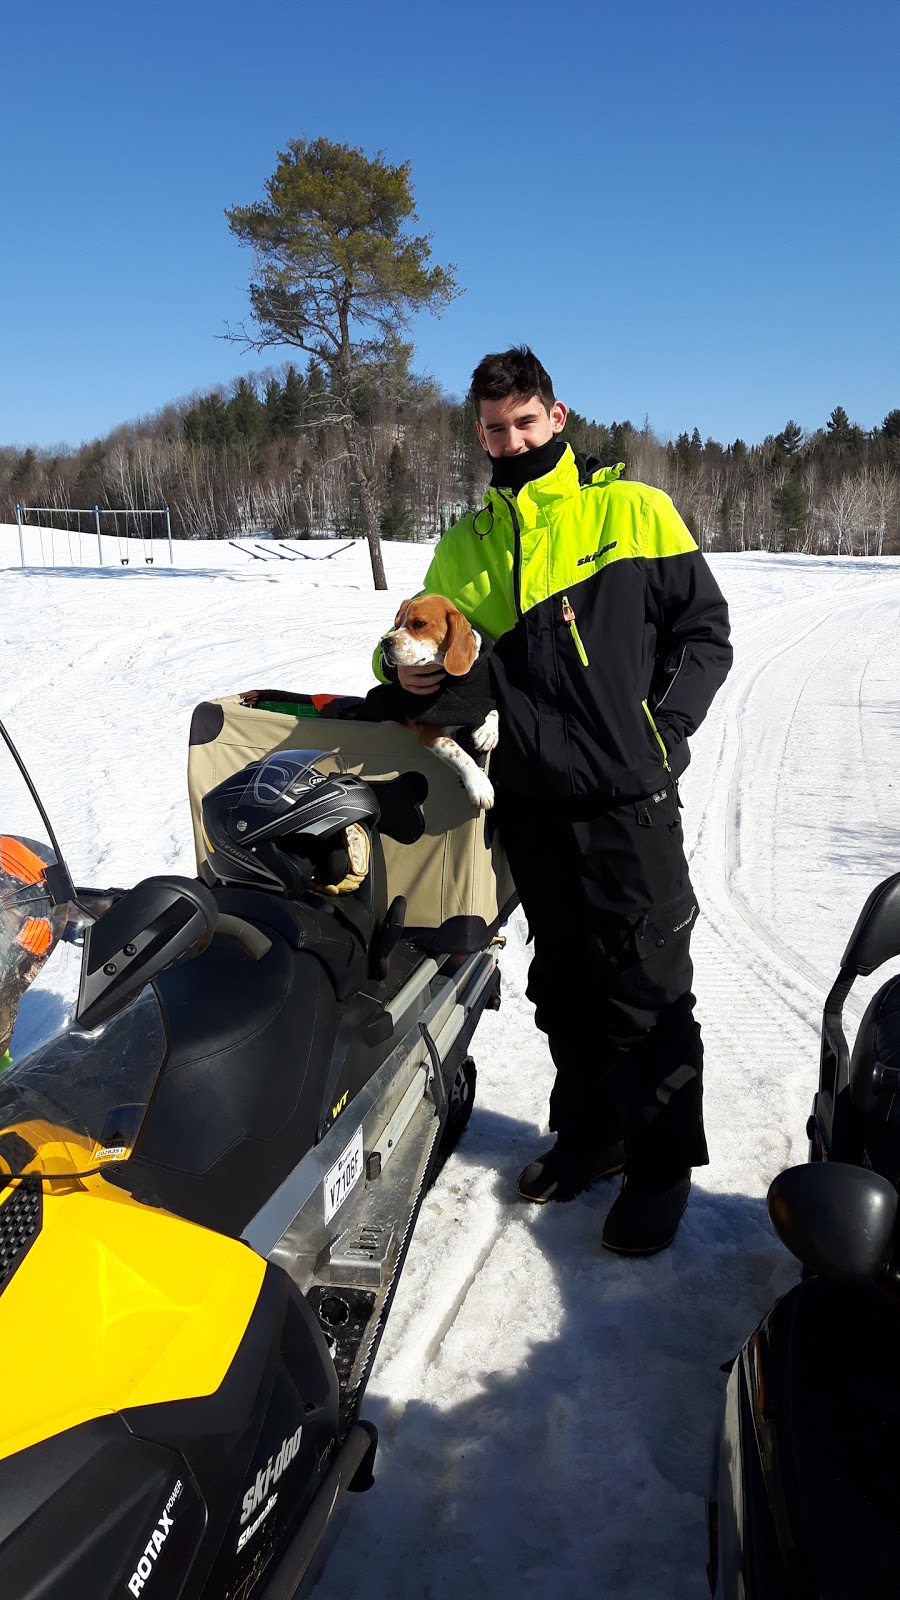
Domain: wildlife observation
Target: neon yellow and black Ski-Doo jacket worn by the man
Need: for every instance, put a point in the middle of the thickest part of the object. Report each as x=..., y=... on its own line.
x=611, y=633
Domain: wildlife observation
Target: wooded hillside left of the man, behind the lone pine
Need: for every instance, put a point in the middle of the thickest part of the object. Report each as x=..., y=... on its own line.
x=267, y=457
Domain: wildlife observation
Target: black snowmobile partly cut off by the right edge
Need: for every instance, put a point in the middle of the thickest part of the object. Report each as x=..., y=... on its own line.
x=810, y=1468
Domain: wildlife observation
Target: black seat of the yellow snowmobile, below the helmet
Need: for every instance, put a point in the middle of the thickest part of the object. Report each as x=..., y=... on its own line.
x=241, y=1094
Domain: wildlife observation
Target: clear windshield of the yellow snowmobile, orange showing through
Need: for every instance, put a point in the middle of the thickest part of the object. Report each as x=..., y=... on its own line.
x=68, y=1098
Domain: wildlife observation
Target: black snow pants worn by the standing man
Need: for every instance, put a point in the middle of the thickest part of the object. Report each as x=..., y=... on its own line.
x=611, y=911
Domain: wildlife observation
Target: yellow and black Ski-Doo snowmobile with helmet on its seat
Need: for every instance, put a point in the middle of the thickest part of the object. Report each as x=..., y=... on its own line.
x=217, y=1129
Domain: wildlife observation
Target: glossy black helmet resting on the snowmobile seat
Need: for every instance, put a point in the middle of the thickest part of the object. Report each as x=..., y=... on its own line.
x=275, y=823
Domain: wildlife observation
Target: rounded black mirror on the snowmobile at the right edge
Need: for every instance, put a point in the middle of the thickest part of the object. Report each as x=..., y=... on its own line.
x=837, y=1218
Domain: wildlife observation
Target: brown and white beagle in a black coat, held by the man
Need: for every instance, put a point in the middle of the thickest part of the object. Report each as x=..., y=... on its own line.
x=432, y=630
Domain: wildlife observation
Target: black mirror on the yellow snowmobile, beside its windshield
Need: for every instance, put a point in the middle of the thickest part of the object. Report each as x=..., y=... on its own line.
x=151, y=927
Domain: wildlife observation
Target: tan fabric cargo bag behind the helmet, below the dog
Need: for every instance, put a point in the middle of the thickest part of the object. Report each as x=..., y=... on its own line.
x=456, y=879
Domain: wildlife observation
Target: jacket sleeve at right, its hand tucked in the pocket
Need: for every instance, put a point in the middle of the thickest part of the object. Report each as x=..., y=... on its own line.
x=693, y=634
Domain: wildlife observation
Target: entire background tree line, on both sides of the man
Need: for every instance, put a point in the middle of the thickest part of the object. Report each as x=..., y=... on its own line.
x=267, y=457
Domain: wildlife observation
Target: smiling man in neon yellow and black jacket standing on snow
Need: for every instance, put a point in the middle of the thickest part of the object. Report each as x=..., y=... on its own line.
x=611, y=641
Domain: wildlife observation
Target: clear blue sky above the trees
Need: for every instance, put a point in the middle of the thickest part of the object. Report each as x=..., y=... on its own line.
x=689, y=210
